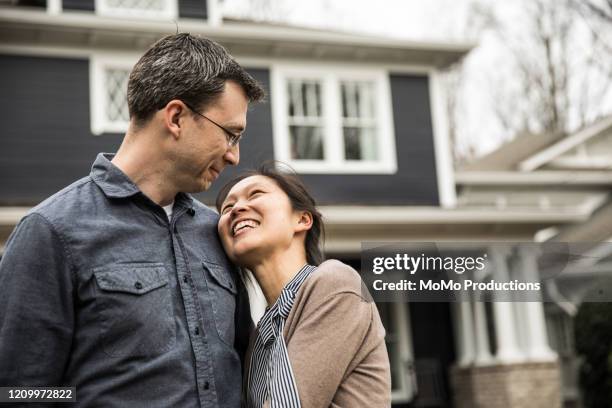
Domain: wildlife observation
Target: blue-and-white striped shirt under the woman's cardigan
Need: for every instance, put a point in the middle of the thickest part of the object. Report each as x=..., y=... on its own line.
x=270, y=374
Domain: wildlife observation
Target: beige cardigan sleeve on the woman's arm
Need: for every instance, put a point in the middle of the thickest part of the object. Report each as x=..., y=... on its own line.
x=324, y=343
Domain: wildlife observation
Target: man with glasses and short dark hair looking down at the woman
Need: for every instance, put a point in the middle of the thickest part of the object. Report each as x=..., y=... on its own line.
x=118, y=284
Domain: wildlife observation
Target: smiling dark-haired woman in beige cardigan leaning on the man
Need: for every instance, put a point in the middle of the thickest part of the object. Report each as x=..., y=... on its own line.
x=320, y=342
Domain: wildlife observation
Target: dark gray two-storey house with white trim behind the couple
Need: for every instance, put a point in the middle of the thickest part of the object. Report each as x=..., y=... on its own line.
x=361, y=118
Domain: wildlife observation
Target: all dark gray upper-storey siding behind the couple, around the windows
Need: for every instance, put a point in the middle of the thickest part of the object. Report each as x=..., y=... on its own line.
x=47, y=142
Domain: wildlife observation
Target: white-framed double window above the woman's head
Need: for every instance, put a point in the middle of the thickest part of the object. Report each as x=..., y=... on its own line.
x=335, y=120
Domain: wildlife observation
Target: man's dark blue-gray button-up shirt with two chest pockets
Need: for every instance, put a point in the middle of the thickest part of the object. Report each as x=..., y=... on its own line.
x=99, y=290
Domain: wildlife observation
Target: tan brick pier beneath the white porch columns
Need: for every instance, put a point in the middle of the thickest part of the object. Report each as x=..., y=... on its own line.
x=525, y=385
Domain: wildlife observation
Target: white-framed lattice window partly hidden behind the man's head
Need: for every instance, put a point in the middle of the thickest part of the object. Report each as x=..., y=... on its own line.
x=108, y=93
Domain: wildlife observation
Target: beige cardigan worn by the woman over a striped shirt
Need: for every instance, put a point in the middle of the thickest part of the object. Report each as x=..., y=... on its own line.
x=336, y=342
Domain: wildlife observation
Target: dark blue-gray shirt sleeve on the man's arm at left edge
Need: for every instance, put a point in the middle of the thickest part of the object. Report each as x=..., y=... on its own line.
x=36, y=306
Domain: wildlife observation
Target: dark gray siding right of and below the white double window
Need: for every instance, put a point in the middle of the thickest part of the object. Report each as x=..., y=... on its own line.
x=415, y=182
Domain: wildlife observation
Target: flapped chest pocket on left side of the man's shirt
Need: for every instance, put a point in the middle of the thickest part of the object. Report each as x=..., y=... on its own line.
x=134, y=310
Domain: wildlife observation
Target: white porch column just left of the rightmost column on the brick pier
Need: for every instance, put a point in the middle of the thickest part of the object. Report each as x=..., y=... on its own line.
x=508, y=350
